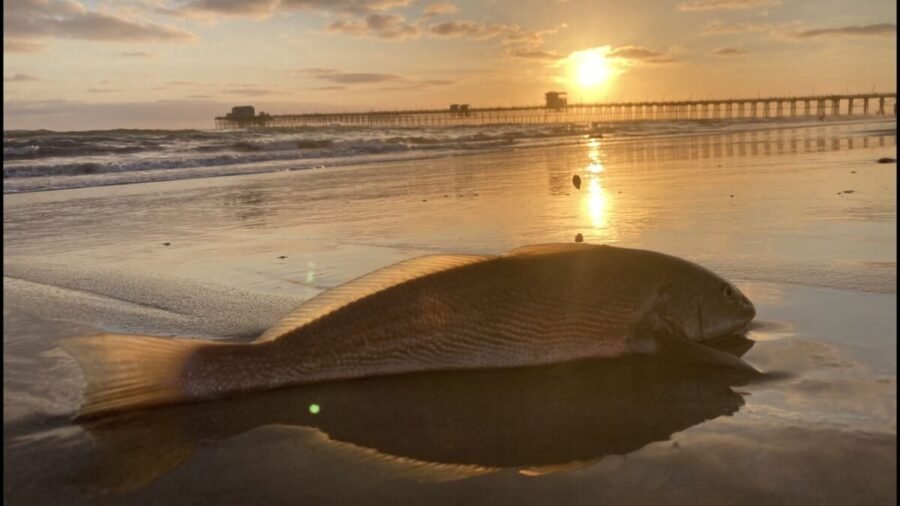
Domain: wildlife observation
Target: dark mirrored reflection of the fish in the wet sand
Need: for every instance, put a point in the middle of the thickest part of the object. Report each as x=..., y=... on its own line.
x=437, y=426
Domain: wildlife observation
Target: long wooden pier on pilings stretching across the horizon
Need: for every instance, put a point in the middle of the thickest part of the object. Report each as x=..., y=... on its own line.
x=820, y=106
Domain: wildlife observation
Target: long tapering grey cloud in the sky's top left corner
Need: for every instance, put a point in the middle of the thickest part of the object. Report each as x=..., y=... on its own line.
x=69, y=19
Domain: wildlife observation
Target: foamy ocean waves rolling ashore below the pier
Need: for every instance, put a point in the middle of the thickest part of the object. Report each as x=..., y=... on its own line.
x=42, y=155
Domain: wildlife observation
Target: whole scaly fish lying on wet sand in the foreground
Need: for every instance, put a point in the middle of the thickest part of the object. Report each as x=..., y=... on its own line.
x=535, y=305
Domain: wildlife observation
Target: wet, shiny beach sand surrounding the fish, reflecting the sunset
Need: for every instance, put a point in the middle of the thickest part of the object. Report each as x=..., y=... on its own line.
x=770, y=210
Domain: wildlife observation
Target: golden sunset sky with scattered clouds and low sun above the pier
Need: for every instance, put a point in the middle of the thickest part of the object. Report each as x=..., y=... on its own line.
x=75, y=65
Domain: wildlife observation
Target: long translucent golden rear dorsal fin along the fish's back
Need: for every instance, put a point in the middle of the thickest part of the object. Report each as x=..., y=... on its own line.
x=369, y=284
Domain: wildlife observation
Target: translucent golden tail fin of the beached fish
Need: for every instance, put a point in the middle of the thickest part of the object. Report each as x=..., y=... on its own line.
x=131, y=371
